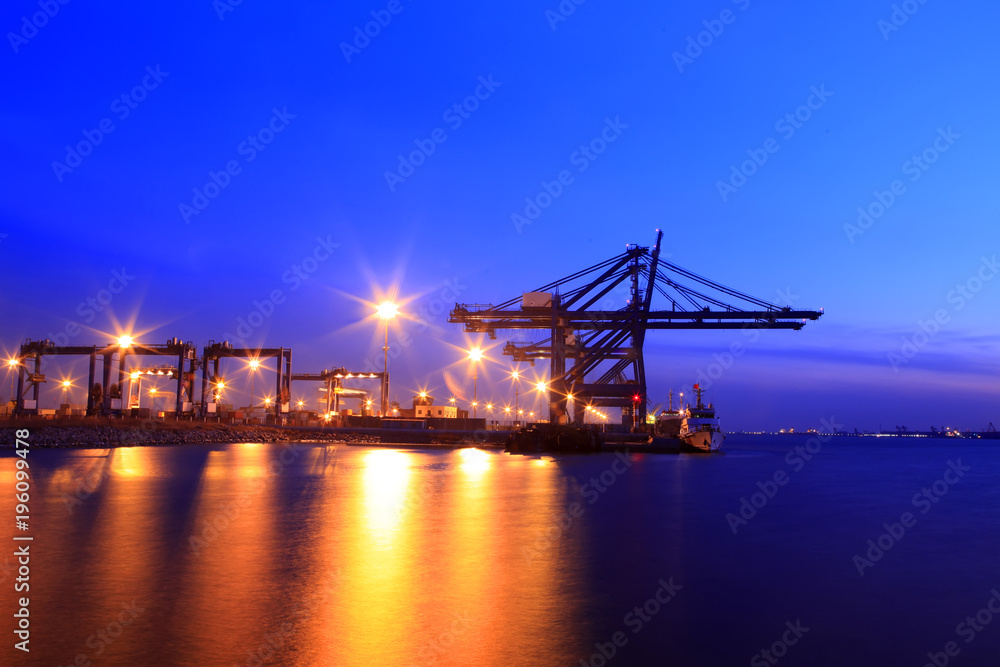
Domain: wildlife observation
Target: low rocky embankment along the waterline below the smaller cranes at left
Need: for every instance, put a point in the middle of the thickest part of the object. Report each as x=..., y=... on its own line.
x=159, y=433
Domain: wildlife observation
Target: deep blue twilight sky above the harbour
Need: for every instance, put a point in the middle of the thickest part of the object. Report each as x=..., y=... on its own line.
x=891, y=92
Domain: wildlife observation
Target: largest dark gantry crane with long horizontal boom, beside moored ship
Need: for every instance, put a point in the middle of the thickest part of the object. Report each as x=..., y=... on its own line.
x=596, y=353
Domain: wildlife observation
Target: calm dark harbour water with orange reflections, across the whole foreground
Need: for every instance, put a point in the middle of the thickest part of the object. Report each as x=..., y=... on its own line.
x=369, y=556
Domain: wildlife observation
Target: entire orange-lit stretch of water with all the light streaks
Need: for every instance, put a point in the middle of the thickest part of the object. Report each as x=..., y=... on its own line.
x=345, y=556
